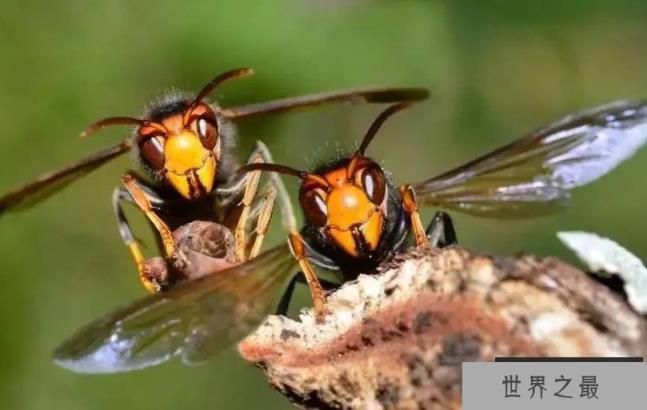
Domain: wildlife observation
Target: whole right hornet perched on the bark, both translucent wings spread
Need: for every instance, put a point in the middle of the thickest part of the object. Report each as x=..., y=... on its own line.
x=354, y=213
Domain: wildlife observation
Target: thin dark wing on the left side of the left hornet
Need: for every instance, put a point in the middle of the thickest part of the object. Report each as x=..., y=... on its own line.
x=51, y=182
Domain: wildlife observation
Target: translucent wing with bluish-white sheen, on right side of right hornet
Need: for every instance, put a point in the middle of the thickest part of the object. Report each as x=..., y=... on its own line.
x=534, y=174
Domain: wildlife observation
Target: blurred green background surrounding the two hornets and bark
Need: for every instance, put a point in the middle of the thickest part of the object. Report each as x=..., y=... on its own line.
x=497, y=70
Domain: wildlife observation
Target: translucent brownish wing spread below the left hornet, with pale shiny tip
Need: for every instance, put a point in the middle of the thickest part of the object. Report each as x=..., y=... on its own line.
x=195, y=319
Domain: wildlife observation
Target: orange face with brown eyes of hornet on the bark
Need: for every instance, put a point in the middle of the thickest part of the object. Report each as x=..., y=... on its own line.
x=349, y=204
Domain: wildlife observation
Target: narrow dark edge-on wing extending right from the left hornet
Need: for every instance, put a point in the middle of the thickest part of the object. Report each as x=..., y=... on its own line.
x=370, y=95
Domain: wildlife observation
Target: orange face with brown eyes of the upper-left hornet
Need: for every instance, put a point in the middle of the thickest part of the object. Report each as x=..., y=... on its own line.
x=184, y=148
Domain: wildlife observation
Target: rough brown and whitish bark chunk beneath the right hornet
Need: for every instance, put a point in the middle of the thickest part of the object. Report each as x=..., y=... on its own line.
x=397, y=339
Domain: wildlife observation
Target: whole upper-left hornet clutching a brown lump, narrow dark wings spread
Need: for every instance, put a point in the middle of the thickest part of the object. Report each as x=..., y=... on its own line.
x=185, y=145
